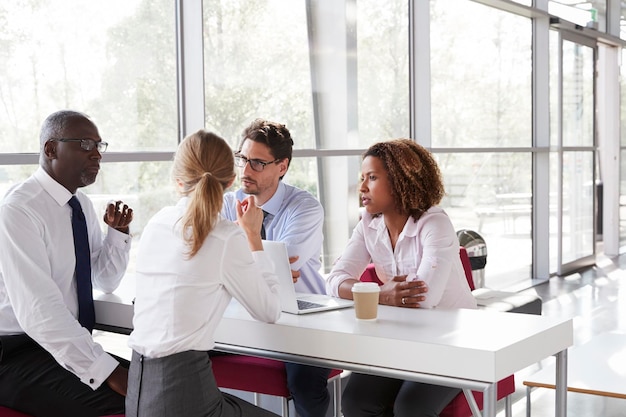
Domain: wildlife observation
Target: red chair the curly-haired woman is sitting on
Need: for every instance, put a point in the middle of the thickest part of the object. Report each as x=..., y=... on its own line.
x=459, y=406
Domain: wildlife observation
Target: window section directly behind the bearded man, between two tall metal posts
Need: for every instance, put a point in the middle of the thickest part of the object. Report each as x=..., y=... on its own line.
x=335, y=73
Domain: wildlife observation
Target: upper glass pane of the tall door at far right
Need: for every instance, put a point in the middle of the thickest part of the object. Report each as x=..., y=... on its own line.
x=578, y=99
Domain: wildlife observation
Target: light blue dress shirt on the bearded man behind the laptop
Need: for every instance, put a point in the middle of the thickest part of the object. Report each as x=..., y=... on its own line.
x=297, y=219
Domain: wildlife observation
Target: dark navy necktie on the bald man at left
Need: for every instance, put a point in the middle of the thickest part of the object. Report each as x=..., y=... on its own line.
x=86, y=313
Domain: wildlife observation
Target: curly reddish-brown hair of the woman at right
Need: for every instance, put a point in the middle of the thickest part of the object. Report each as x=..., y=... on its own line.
x=414, y=176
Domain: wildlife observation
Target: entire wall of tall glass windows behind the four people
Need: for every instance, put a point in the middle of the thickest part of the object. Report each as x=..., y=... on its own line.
x=341, y=75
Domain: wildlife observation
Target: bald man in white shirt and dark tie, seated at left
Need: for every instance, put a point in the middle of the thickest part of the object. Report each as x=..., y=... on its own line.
x=49, y=362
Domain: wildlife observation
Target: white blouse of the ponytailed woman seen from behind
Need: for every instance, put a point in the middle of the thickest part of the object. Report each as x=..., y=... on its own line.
x=180, y=301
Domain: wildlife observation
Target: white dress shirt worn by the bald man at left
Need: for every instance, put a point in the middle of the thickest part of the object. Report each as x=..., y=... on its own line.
x=37, y=284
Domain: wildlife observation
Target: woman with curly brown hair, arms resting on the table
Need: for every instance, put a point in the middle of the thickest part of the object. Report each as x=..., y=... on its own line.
x=415, y=250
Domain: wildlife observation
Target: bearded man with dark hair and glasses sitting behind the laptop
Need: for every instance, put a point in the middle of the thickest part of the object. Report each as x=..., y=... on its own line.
x=292, y=216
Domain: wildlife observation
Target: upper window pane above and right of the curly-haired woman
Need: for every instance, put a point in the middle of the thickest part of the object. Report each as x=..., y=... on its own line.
x=481, y=76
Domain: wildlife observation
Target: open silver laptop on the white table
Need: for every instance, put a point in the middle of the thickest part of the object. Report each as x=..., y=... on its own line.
x=291, y=301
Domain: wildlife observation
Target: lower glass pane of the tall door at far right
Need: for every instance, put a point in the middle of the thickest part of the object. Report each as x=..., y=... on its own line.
x=578, y=211
